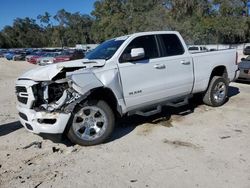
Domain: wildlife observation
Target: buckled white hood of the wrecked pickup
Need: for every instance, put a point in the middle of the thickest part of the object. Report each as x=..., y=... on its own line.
x=47, y=73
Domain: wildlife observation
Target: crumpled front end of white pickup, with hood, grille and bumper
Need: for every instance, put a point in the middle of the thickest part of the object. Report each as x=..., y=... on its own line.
x=47, y=96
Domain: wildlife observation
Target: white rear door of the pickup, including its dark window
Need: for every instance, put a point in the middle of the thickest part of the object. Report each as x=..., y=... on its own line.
x=179, y=75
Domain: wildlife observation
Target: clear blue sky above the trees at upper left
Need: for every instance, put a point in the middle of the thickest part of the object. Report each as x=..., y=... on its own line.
x=11, y=9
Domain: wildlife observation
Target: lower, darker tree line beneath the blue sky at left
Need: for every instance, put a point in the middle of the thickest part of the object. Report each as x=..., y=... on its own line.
x=69, y=29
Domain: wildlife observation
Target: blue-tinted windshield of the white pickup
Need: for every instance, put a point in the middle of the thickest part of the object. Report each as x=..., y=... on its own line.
x=105, y=50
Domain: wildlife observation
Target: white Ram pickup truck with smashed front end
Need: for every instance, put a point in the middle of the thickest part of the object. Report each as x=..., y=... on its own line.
x=134, y=74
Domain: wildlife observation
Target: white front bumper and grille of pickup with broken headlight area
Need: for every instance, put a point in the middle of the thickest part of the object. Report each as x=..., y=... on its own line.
x=43, y=118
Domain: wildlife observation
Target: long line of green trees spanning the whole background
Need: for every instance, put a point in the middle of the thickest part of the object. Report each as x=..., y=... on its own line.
x=199, y=21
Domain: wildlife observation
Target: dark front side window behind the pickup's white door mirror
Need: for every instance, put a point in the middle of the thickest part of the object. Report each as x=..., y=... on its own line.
x=148, y=43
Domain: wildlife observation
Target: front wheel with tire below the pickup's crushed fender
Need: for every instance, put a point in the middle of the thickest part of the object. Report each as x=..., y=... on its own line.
x=92, y=123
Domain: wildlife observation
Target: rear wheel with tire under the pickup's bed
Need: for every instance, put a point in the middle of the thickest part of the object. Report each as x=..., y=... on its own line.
x=217, y=91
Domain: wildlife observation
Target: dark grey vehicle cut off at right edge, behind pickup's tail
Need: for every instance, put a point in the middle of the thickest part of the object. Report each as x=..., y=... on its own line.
x=244, y=67
